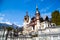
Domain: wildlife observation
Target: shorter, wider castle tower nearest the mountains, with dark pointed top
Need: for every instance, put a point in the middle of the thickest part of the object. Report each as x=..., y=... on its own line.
x=26, y=27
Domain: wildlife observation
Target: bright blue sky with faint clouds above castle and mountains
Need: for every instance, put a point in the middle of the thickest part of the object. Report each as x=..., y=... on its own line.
x=13, y=11
